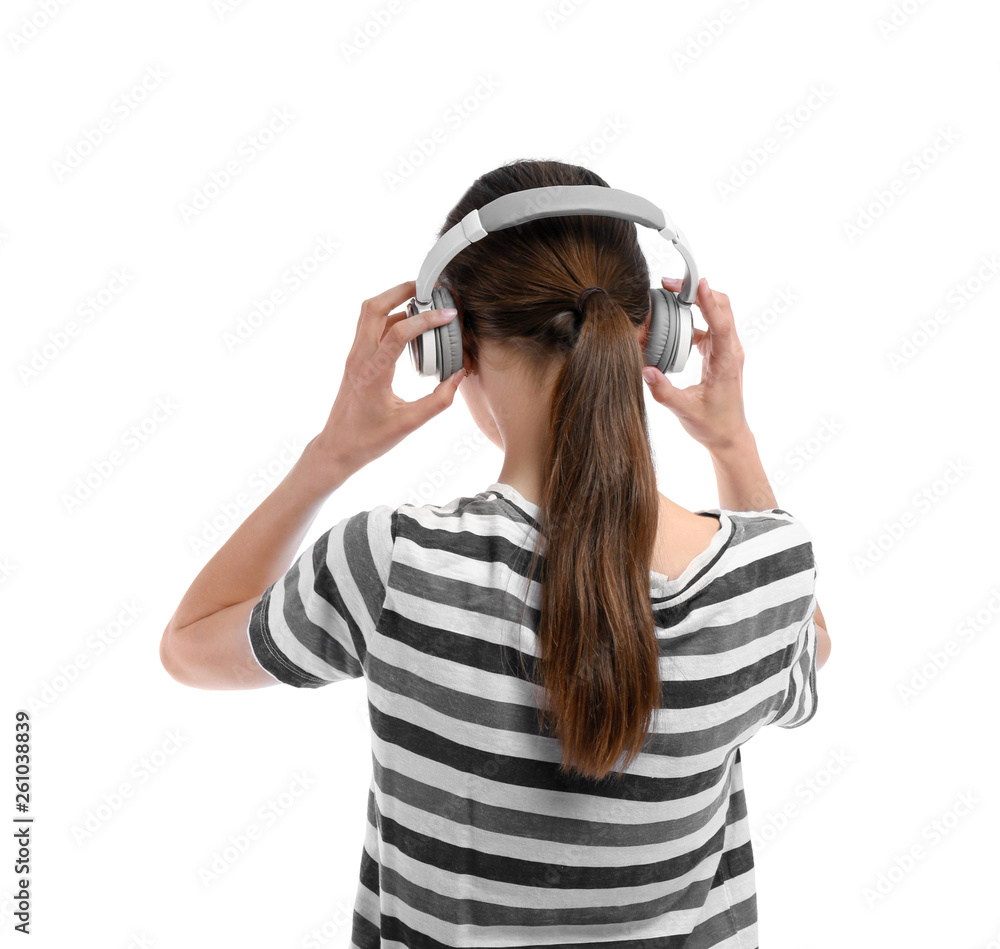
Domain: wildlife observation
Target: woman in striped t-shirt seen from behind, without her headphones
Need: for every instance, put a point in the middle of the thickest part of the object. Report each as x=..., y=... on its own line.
x=562, y=668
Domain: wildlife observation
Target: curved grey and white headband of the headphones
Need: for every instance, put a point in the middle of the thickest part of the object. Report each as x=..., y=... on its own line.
x=519, y=207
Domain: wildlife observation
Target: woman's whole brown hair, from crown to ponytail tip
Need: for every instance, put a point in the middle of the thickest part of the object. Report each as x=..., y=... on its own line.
x=599, y=663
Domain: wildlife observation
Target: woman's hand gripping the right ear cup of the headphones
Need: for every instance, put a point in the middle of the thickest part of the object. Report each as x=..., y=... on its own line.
x=711, y=412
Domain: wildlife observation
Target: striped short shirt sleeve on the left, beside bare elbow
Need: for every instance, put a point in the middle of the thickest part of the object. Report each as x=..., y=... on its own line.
x=313, y=625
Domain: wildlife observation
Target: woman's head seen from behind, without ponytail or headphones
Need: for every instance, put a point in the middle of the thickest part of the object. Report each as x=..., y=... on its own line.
x=517, y=289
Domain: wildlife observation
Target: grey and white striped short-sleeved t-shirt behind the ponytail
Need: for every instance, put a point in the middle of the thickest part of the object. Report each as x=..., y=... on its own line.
x=474, y=837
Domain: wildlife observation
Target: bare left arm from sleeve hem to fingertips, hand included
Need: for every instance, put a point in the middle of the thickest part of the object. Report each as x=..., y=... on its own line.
x=206, y=644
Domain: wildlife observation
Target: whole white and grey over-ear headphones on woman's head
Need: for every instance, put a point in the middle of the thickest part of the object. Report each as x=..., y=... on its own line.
x=438, y=351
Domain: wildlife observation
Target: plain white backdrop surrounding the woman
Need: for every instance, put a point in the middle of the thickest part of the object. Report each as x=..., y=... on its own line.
x=891, y=463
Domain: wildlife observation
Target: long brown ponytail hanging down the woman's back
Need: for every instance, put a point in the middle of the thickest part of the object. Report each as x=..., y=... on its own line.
x=599, y=667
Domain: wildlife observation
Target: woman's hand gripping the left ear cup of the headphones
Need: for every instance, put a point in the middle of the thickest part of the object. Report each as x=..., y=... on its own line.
x=368, y=418
